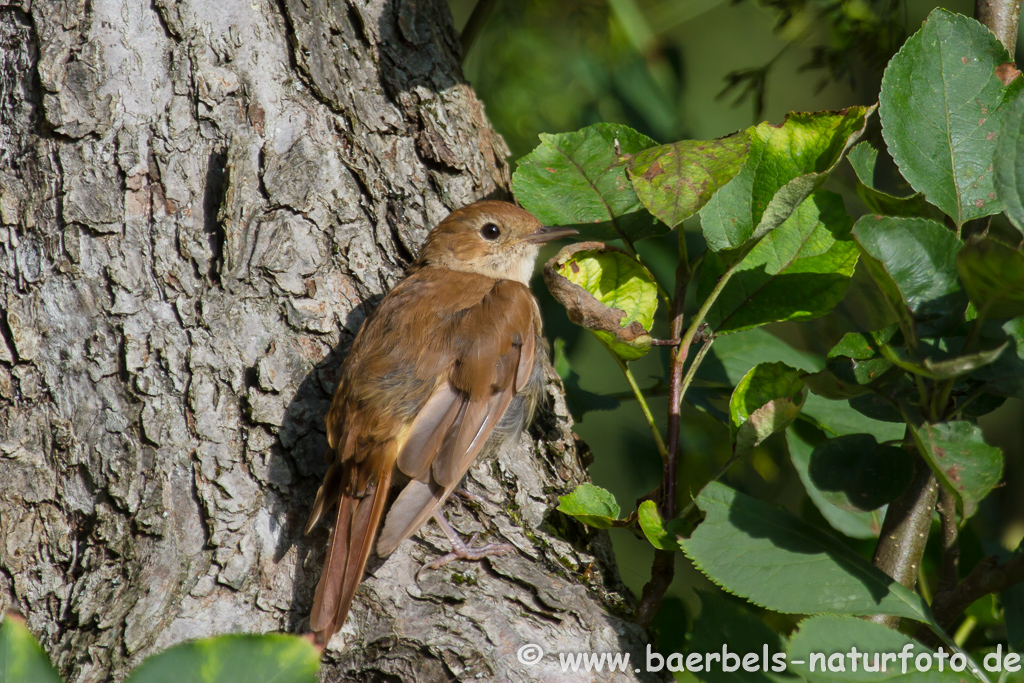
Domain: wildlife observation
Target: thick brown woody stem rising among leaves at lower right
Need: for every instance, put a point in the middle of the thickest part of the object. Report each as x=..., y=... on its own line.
x=905, y=532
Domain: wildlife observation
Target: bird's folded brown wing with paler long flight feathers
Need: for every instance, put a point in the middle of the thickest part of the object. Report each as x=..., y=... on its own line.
x=493, y=353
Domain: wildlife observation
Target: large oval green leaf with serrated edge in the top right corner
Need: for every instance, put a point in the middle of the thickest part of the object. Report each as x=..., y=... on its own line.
x=943, y=107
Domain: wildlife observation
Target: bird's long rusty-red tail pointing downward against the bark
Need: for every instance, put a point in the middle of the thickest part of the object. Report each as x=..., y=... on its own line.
x=360, y=510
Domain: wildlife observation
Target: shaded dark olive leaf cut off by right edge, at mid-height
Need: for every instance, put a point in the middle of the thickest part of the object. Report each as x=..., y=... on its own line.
x=994, y=277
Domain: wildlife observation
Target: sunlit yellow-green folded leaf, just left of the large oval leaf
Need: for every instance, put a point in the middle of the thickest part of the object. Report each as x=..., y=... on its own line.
x=785, y=166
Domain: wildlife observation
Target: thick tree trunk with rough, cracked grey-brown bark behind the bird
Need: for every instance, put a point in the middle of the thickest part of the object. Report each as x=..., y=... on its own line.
x=199, y=203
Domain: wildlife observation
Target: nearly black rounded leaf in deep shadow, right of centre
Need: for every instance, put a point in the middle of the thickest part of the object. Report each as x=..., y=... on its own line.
x=856, y=473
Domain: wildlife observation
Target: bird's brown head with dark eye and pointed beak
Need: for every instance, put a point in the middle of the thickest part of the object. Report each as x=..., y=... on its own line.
x=494, y=239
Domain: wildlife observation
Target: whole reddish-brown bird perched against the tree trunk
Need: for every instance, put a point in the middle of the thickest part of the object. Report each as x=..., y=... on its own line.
x=447, y=369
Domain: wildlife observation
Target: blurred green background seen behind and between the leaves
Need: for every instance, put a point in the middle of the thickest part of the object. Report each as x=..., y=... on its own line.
x=661, y=67
